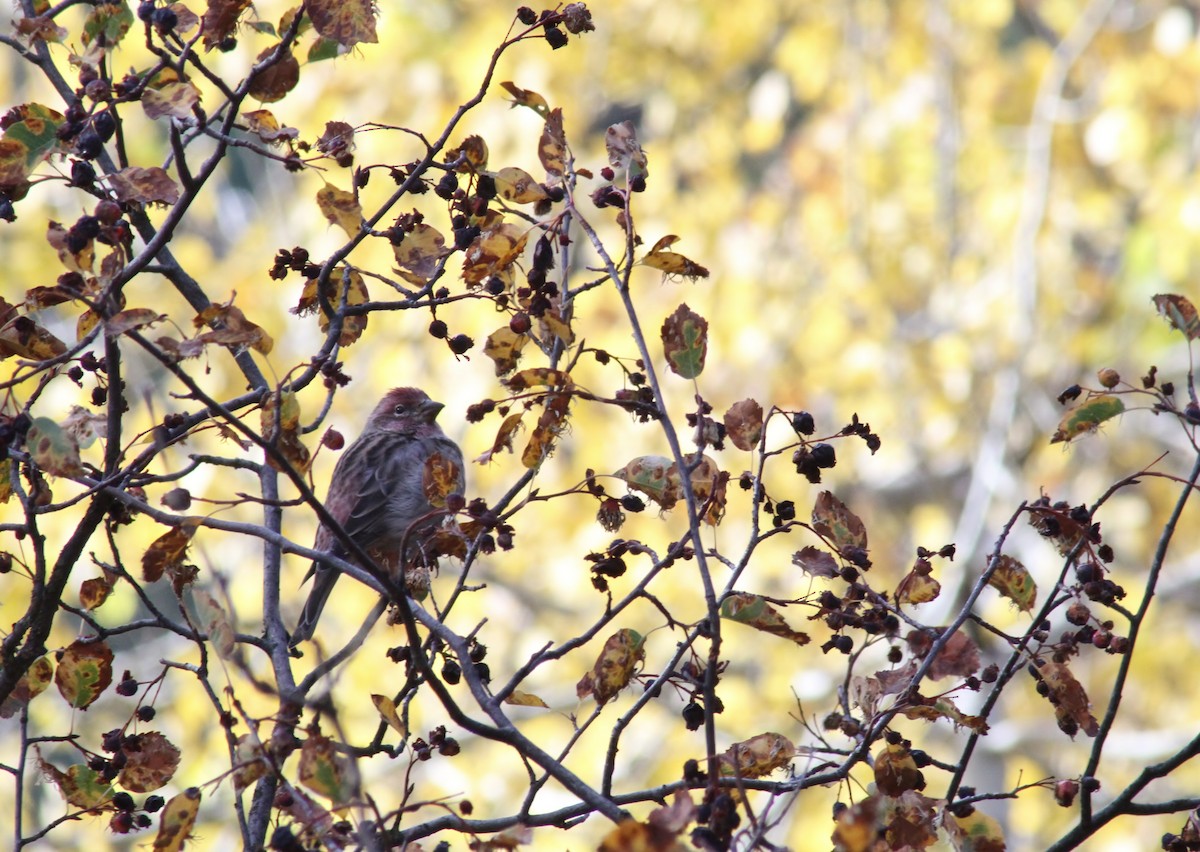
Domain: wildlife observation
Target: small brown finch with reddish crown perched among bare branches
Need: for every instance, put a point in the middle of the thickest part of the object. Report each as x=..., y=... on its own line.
x=389, y=484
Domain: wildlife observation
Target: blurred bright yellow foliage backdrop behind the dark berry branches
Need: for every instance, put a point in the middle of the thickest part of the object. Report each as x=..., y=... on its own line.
x=933, y=214
